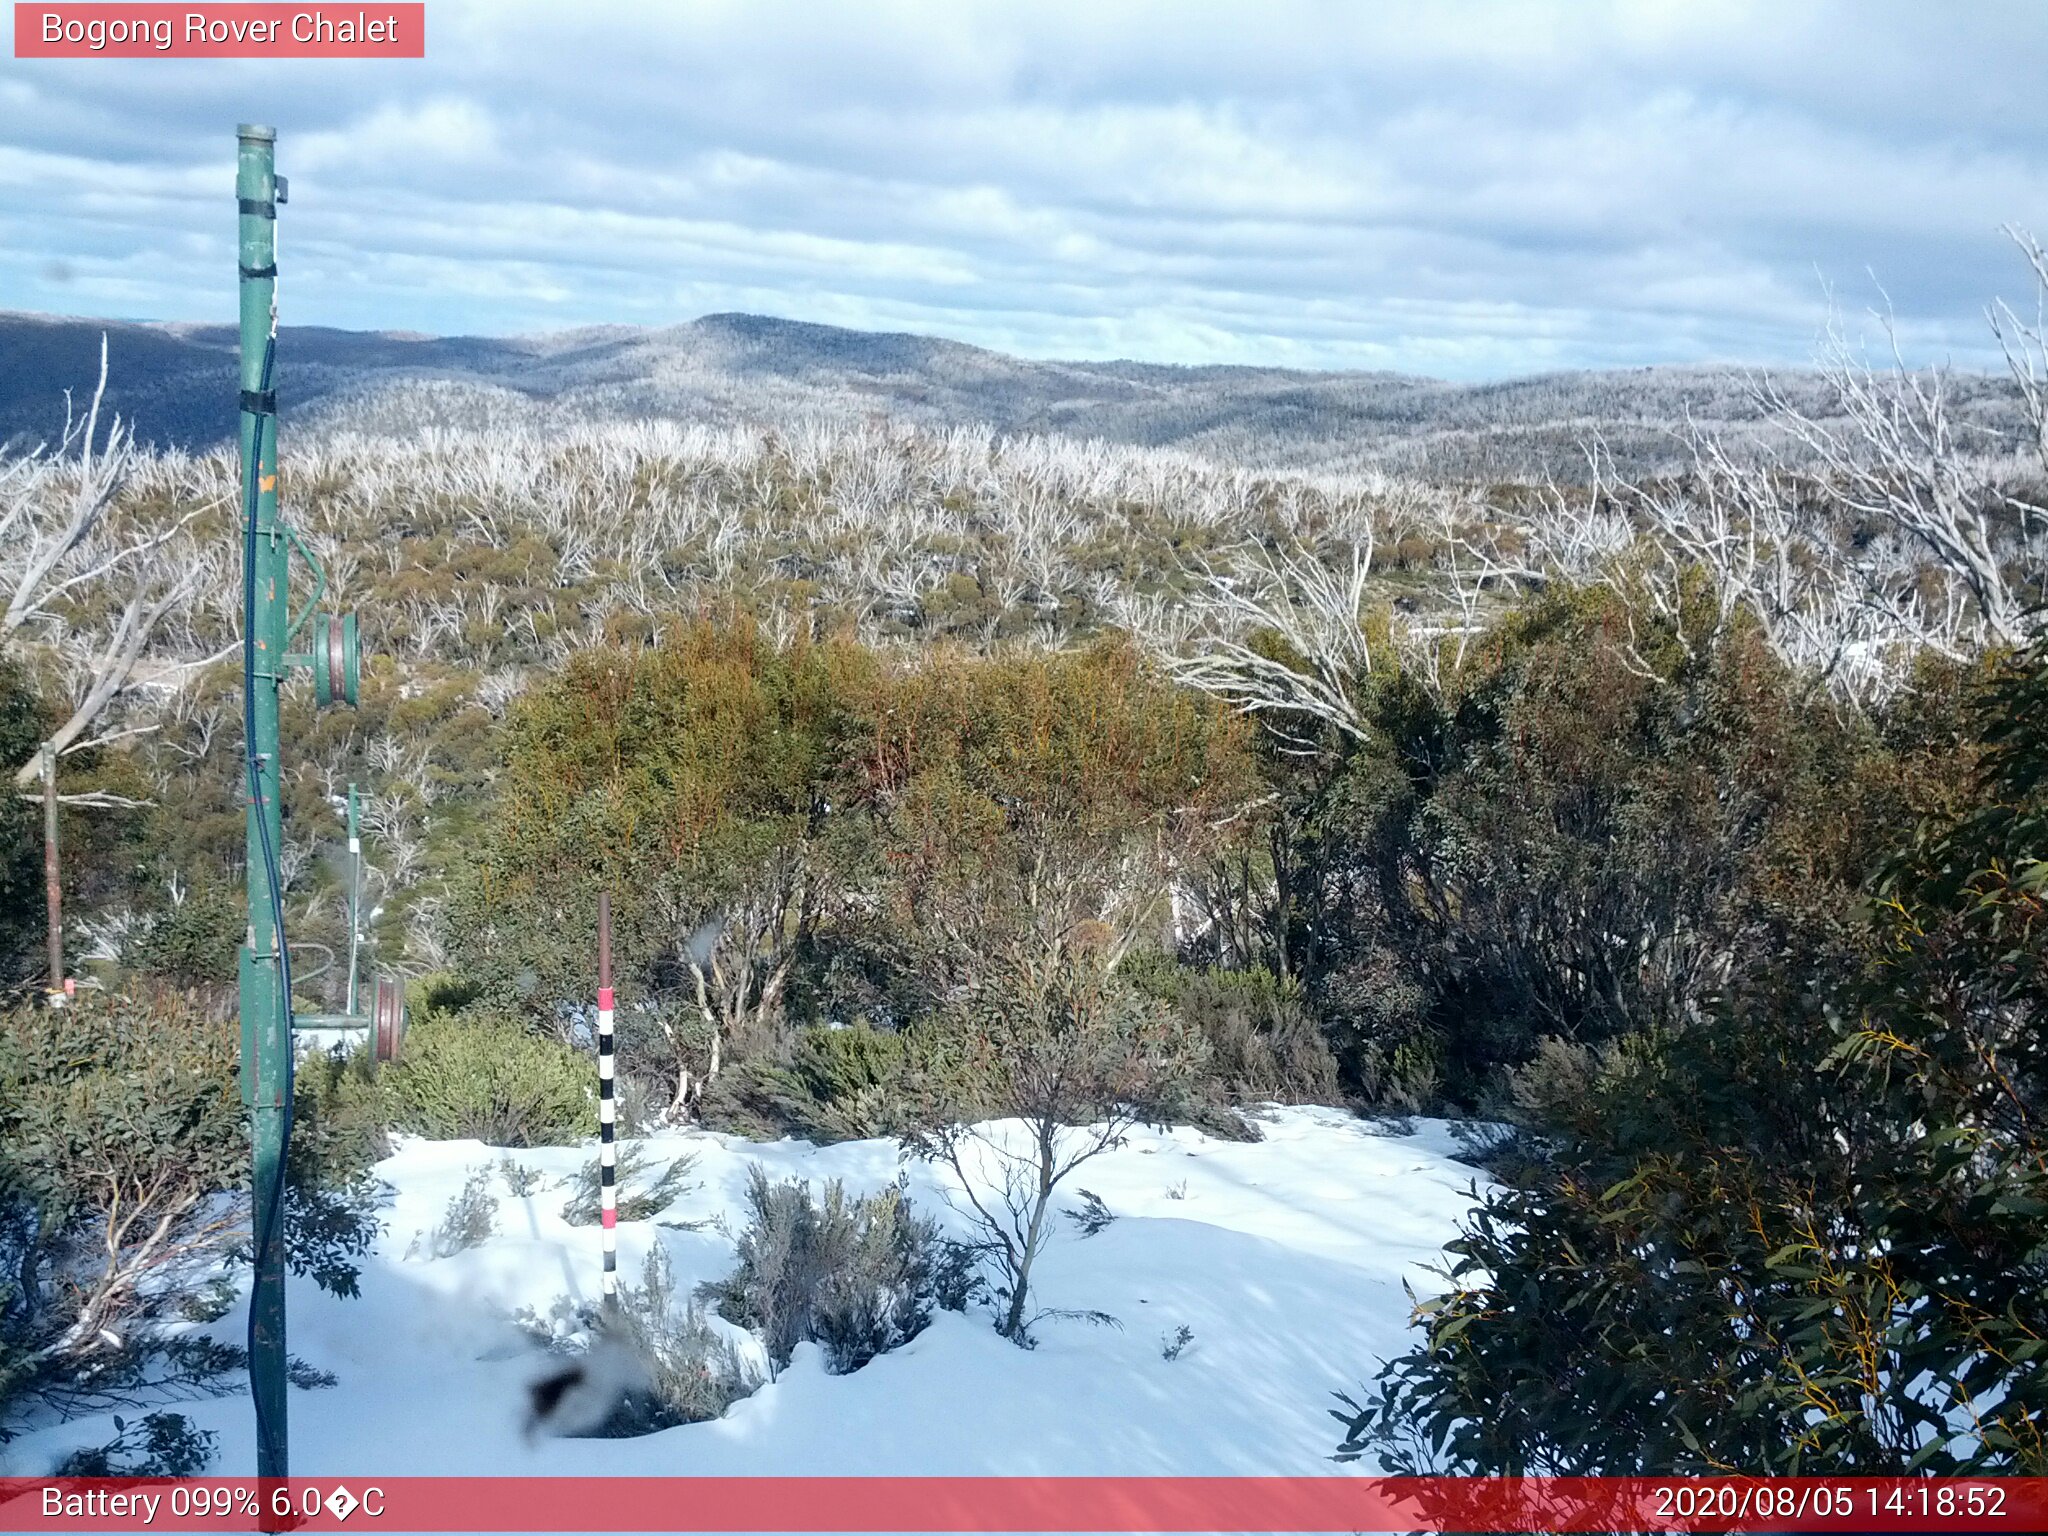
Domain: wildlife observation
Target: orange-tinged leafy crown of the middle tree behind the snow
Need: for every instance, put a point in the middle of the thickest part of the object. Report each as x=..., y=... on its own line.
x=1031, y=808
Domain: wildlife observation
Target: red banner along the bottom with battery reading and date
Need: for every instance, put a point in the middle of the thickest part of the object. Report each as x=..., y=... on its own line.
x=1029, y=1504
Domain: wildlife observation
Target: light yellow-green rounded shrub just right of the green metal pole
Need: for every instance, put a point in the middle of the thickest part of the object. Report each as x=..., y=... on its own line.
x=490, y=1078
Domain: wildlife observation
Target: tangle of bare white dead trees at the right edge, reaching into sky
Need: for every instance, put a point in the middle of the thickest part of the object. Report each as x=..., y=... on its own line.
x=1893, y=525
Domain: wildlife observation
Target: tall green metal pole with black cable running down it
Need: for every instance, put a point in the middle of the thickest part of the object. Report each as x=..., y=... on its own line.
x=265, y=1019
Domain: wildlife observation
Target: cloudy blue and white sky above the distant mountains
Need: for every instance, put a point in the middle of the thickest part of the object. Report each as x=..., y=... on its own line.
x=1469, y=189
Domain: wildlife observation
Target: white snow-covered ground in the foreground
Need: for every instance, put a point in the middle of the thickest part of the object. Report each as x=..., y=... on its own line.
x=1285, y=1258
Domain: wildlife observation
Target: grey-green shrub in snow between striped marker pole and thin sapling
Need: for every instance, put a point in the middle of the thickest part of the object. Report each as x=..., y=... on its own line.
x=859, y=1277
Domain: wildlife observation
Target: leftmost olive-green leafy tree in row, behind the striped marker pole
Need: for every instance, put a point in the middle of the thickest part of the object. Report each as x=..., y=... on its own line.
x=701, y=767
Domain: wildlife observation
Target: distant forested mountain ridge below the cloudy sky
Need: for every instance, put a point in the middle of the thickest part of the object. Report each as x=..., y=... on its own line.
x=177, y=386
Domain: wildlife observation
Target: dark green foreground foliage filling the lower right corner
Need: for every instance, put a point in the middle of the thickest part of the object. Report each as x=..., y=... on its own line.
x=1801, y=1234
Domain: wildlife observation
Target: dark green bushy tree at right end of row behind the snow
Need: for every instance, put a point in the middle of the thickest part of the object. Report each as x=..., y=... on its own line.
x=1580, y=837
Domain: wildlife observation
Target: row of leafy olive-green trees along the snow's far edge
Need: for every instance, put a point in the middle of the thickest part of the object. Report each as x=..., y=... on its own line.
x=1568, y=843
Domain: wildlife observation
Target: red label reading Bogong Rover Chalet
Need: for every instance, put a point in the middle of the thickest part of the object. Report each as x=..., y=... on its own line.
x=216, y=32
